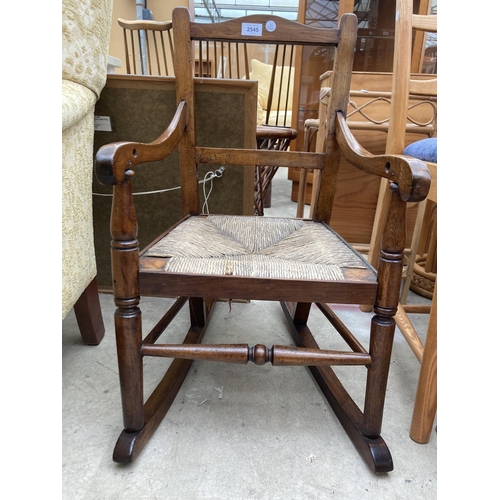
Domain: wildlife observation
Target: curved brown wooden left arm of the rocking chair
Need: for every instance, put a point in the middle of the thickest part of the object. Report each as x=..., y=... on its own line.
x=114, y=161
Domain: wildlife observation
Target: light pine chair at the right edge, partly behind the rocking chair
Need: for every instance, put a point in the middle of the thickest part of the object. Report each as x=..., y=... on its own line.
x=404, y=86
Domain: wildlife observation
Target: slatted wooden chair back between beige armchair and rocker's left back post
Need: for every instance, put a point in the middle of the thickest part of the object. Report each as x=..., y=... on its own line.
x=148, y=47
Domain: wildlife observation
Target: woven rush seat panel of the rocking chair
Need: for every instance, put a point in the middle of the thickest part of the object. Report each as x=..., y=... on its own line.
x=262, y=247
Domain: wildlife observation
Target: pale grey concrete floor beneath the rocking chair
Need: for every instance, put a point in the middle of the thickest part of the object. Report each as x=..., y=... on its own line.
x=238, y=432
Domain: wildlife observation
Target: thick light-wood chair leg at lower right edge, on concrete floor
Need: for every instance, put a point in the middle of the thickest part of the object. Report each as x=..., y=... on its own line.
x=424, y=410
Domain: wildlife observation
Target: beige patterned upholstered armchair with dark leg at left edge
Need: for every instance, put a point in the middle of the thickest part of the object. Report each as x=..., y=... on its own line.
x=86, y=26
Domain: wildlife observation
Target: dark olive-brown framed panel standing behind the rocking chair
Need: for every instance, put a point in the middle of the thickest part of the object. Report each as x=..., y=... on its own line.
x=140, y=108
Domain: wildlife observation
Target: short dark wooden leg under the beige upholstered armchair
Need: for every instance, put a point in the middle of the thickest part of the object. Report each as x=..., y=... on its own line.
x=89, y=315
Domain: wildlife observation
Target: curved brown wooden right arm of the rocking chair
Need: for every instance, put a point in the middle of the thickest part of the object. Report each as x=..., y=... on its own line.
x=411, y=175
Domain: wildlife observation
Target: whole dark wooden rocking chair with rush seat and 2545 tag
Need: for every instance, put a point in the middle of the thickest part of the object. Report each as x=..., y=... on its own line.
x=296, y=262
